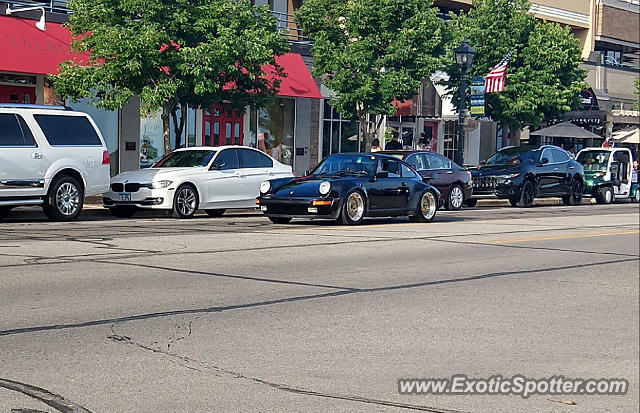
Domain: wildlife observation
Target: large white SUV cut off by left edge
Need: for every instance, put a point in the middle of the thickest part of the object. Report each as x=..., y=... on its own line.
x=50, y=156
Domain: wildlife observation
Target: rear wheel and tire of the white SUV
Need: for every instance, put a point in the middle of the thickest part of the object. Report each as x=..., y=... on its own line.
x=64, y=200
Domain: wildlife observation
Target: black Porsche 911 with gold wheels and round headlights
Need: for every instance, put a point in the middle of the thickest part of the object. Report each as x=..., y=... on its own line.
x=350, y=187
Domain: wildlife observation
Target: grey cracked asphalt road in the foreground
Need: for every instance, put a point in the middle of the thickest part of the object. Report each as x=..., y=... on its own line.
x=234, y=314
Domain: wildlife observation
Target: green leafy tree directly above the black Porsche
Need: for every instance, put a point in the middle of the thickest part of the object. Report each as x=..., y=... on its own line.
x=371, y=52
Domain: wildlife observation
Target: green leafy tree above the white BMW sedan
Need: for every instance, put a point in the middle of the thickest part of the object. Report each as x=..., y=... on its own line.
x=171, y=53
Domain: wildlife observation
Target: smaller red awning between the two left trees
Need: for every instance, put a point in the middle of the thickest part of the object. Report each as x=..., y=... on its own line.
x=298, y=83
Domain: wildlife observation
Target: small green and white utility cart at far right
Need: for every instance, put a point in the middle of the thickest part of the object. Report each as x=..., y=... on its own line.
x=609, y=174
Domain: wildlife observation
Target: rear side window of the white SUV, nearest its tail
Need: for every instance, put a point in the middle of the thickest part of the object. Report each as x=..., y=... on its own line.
x=61, y=130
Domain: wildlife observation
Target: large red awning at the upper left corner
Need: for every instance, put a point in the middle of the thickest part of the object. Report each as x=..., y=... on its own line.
x=26, y=49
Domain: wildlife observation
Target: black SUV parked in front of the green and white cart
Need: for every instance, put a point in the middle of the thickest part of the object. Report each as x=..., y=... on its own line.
x=521, y=174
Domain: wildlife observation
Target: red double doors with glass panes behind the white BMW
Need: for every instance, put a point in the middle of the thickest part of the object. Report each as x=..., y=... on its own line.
x=222, y=125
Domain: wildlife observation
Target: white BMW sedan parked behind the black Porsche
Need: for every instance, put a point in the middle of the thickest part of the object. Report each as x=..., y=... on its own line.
x=210, y=178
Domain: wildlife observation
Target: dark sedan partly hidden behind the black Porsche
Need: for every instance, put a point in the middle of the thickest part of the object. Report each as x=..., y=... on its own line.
x=453, y=181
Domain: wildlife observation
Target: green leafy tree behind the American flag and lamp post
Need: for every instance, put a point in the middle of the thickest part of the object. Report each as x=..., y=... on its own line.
x=543, y=76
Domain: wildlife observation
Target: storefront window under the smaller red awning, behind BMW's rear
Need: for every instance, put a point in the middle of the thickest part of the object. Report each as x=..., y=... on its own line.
x=272, y=129
